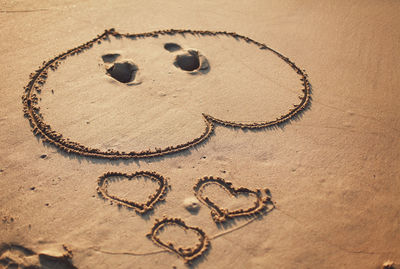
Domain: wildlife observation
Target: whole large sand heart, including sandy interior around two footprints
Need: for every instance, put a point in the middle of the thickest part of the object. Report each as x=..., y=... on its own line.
x=225, y=103
